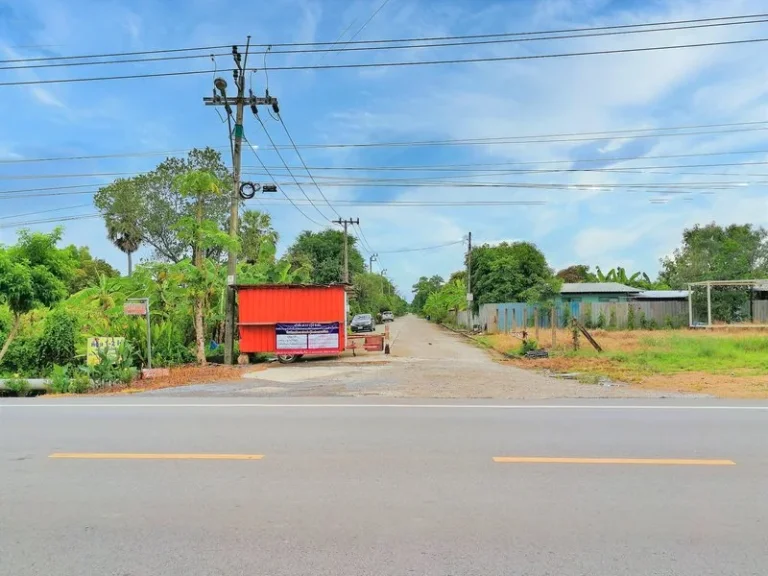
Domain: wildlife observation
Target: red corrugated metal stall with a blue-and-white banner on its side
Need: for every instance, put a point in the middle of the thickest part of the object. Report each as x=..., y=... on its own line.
x=292, y=318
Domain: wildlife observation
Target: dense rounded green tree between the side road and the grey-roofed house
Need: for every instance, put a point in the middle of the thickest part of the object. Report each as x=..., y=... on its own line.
x=510, y=273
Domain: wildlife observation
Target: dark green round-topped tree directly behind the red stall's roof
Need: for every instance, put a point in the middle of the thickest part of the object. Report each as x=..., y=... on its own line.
x=325, y=252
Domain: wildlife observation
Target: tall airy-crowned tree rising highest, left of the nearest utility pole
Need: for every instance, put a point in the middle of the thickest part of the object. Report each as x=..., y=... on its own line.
x=149, y=207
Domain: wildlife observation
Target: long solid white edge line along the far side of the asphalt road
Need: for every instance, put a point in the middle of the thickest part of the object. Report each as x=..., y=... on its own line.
x=45, y=404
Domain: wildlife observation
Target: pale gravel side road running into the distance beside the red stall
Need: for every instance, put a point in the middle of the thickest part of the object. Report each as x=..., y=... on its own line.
x=427, y=361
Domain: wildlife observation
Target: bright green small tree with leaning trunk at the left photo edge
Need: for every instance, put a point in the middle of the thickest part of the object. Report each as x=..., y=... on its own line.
x=33, y=273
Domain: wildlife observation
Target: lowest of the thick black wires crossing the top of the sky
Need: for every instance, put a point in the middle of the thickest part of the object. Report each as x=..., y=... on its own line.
x=397, y=64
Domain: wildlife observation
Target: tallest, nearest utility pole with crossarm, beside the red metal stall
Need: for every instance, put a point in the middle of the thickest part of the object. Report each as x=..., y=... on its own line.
x=236, y=142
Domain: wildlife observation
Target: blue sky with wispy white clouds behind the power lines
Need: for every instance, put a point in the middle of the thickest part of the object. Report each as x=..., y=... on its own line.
x=608, y=225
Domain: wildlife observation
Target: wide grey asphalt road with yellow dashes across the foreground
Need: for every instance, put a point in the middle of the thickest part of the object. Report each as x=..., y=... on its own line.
x=380, y=488
